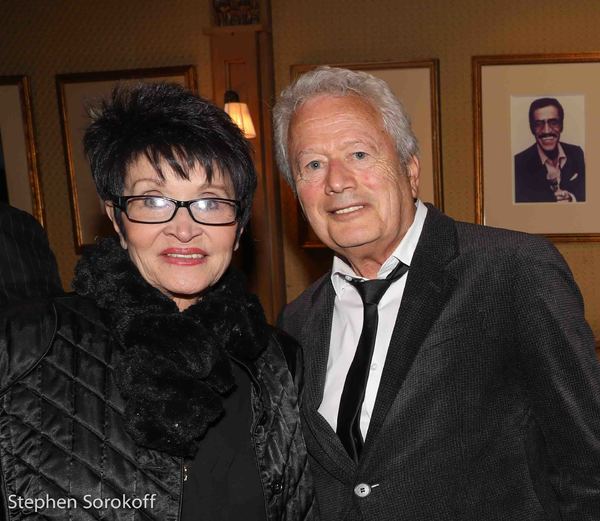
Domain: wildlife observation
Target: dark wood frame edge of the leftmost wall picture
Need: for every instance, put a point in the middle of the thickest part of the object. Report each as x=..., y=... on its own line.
x=21, y=82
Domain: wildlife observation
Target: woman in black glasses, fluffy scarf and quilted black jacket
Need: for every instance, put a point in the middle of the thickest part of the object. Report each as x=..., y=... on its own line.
x=157, y=391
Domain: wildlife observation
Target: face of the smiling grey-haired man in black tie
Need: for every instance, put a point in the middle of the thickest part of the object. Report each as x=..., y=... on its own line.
x=349, y=179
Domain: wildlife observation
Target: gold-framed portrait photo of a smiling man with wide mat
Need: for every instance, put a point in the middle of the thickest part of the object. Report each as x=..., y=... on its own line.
x=536, y=125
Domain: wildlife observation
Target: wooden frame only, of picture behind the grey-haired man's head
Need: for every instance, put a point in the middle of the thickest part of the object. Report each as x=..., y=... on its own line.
x=306, y=236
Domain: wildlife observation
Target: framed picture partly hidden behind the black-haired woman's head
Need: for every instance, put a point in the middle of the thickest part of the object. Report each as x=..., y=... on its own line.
x=76, y=93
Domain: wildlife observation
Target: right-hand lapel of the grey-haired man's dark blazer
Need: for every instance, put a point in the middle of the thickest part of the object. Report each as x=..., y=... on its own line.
x=427, y=289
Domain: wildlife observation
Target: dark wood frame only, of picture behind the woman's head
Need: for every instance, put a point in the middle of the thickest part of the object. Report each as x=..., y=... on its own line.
x=187, y=74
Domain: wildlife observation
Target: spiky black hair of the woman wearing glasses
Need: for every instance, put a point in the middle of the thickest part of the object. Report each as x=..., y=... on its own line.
x=166, y=122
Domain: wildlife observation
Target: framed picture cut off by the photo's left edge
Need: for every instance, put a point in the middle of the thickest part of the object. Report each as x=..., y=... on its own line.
x=19, y=180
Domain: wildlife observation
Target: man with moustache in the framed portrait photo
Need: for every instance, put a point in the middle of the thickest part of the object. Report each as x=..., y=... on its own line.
x=549, y=170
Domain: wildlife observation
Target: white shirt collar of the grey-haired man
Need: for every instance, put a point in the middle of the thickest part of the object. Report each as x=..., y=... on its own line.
x=404, y=252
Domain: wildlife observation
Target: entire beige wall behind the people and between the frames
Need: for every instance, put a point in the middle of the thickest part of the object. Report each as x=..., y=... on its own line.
x=43, y=38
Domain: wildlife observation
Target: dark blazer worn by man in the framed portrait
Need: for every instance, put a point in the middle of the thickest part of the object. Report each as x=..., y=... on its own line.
x=531, y=185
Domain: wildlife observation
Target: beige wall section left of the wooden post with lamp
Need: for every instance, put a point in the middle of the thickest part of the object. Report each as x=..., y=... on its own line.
x=42, y=38
